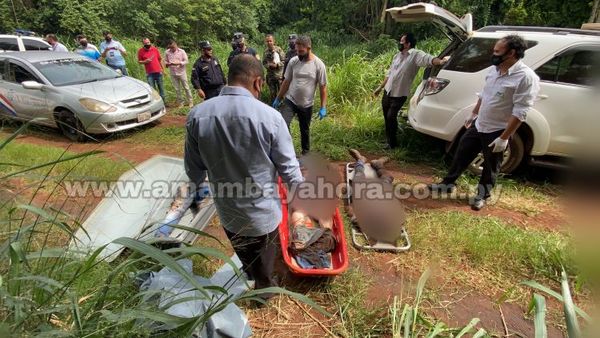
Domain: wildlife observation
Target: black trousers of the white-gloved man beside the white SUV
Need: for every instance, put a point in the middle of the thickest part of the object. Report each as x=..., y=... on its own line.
x=471, y=143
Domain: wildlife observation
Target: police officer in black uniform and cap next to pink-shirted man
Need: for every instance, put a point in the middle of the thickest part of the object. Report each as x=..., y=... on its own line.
x=207, y=75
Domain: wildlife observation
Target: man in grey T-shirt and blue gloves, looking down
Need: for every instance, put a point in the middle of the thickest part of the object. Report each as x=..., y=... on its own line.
x=302, y=75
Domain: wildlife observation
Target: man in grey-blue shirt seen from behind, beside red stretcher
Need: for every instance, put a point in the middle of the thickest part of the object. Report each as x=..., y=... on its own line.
x=243, y=145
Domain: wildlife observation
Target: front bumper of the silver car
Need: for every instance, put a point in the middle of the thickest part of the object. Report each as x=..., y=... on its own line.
x=122, y=119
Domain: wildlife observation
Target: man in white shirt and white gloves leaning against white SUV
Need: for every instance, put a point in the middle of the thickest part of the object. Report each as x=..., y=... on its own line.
x=509, y=92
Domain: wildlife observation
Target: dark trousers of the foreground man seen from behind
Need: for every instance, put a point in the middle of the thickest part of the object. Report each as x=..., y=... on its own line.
x=257, y=255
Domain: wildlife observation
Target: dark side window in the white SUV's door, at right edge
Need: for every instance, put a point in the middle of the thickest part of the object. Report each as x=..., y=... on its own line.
x=577, y=66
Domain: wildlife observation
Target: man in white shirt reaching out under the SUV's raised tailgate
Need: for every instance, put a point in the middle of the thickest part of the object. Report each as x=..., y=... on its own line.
x=398, y=81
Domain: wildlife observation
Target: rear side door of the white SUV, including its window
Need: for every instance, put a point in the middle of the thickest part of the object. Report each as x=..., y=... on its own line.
x=568, y=97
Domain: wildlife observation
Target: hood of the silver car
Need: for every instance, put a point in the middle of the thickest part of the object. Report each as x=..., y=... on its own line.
x=112, y=90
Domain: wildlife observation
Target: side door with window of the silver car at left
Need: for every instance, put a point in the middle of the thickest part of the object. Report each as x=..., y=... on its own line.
x=25, y=103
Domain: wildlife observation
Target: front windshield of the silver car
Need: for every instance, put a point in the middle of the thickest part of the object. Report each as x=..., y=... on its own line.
x=66, y=72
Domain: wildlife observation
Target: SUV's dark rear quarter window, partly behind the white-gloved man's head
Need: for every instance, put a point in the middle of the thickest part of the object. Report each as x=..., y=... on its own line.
x=474, y=55
